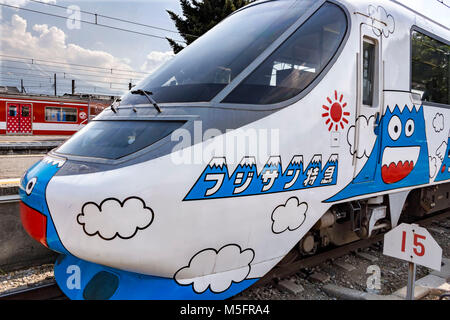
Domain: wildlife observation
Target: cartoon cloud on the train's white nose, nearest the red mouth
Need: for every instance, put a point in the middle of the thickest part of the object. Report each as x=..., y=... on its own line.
x=113, y=218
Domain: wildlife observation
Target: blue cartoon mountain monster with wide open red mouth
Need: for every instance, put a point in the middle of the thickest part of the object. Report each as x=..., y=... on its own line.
x=398, y=159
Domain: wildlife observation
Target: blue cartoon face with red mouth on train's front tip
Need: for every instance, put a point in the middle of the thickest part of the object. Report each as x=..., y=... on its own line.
x=34, y=213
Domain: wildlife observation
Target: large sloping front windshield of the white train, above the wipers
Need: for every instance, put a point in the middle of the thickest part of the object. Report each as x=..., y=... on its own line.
x=206, y=66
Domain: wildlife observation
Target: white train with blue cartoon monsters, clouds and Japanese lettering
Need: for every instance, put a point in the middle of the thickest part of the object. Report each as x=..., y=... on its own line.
x=318, y=124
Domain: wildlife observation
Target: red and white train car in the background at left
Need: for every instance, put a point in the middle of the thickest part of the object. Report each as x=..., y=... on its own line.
x=22, y=114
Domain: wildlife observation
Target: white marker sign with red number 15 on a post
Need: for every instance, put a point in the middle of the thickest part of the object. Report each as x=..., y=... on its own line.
x=416, y=245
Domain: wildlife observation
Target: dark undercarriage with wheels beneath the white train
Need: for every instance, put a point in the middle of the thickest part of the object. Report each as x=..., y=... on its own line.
x=362, y=219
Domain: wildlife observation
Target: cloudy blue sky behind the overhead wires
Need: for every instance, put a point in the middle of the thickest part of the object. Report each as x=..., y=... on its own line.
x=37, y=36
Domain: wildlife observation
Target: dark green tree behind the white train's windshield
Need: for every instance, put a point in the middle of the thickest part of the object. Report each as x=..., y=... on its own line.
x=199, y=17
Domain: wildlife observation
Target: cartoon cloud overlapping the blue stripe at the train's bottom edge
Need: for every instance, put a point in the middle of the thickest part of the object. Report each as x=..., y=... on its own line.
x=216, y=270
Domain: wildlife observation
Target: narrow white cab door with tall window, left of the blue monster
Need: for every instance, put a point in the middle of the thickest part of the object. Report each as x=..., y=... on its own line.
x=369, y=101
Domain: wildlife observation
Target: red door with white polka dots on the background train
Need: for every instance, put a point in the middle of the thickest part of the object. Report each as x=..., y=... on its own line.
x=18, y=118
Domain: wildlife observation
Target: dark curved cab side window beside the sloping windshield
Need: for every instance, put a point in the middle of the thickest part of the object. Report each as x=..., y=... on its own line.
x=297, y=62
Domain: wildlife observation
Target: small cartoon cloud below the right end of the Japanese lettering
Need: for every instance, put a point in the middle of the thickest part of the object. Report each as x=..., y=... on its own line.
x=289, y=216
